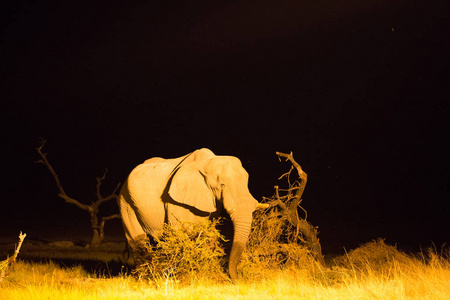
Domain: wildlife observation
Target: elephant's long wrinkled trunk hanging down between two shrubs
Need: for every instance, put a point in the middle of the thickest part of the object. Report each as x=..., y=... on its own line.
x=242, y=223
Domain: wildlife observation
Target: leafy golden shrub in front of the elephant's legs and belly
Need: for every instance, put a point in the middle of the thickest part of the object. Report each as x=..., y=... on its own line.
x=193, y=251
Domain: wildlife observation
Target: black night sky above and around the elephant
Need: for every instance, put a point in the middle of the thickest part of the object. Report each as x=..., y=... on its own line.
x=357, y=90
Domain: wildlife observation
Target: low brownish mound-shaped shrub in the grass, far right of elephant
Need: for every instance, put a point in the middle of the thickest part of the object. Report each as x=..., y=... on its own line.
x=374, y=256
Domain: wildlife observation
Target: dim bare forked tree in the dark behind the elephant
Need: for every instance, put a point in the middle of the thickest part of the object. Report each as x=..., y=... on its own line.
x=92, y=209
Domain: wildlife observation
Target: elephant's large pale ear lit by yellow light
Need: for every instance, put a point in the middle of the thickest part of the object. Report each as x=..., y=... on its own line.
x=188, y=187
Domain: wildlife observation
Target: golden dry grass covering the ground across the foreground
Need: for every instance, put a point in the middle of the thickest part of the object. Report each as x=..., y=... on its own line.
x=372, y=271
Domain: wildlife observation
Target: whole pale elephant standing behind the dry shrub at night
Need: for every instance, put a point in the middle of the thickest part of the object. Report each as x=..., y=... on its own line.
x=190, y=188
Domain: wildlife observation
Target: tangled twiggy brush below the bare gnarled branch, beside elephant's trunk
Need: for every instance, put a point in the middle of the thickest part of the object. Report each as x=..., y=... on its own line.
x=276, y=241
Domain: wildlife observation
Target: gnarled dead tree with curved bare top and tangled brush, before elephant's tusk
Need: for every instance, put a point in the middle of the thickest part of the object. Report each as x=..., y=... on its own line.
x=280, y=238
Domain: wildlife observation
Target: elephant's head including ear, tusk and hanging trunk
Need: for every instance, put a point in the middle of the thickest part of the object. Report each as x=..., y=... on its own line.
x=202, y=183
